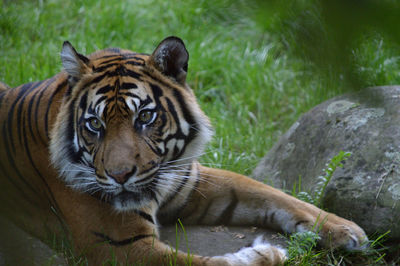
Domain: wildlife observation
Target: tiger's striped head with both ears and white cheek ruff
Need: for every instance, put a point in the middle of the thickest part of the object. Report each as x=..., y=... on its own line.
x=125, y=121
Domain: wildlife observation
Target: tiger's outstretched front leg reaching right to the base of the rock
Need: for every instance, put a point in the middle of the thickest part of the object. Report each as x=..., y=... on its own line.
x=222, y=197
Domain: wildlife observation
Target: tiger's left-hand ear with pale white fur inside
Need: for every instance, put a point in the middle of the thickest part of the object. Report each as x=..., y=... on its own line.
x=74, y=63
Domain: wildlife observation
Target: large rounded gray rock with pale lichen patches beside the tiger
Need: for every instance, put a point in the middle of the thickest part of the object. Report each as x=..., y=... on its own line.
x=367, y=189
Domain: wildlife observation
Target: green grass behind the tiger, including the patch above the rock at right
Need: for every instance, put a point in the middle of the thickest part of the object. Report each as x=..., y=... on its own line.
x=246, y=64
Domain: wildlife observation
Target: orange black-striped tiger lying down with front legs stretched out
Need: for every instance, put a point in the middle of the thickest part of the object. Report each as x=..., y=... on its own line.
x=106, y=152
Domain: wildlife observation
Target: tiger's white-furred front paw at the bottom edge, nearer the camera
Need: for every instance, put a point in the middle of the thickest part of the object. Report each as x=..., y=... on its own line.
x=260, y=253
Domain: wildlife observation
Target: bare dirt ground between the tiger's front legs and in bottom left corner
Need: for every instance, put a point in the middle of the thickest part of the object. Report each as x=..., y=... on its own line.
x=18, y=248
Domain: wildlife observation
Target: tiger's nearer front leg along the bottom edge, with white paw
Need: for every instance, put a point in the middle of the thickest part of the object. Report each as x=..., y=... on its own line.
x=104, y=236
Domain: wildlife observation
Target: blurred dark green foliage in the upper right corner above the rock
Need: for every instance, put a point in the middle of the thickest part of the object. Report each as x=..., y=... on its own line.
x=339, y=37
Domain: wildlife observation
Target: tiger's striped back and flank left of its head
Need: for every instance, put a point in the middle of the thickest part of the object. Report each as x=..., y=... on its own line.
x=25, y=118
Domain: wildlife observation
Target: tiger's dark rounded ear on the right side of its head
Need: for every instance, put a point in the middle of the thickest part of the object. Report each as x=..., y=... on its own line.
x=171, y=58
